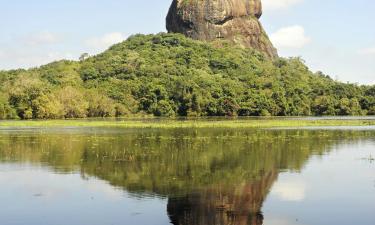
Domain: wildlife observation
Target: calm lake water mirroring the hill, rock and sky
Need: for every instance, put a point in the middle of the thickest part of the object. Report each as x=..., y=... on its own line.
x=187, y=176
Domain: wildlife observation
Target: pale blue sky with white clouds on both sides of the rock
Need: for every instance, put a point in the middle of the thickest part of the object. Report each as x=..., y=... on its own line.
x=333, y=36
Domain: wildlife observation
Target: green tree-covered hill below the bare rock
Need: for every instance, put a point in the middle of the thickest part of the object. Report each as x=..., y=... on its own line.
x=171, y=75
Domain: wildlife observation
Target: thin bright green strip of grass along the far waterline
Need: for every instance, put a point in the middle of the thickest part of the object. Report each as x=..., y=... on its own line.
x=170, y=123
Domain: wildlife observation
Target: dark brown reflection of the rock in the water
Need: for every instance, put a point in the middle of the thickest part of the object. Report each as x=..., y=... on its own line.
x=239, y=204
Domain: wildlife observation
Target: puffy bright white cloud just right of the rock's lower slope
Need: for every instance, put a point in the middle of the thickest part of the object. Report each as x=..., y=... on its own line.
x=290, y=37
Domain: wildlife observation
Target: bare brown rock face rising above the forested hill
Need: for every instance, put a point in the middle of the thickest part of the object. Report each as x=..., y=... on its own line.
x=234, y=20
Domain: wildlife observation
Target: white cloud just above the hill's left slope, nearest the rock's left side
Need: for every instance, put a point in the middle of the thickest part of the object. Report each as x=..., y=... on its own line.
x=101, y=43
